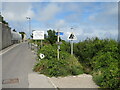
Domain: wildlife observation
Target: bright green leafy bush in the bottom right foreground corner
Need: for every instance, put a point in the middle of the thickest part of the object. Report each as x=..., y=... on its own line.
x=107, y=63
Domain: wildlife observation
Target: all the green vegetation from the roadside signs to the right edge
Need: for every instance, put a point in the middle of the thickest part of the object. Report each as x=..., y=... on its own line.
x=99, y=58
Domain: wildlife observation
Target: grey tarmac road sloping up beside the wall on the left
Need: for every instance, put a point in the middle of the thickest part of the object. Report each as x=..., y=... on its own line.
x=17, y=63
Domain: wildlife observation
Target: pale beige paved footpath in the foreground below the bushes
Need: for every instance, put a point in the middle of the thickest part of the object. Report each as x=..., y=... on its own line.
x=42, y=81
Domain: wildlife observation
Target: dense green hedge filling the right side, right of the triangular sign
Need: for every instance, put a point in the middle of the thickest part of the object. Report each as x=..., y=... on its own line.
x=100, y=58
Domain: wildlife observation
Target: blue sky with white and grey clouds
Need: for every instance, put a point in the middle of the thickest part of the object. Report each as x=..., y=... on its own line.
x=88, y=19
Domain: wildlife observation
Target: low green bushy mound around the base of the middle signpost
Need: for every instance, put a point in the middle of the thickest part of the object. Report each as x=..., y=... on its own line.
x=50, y=66
